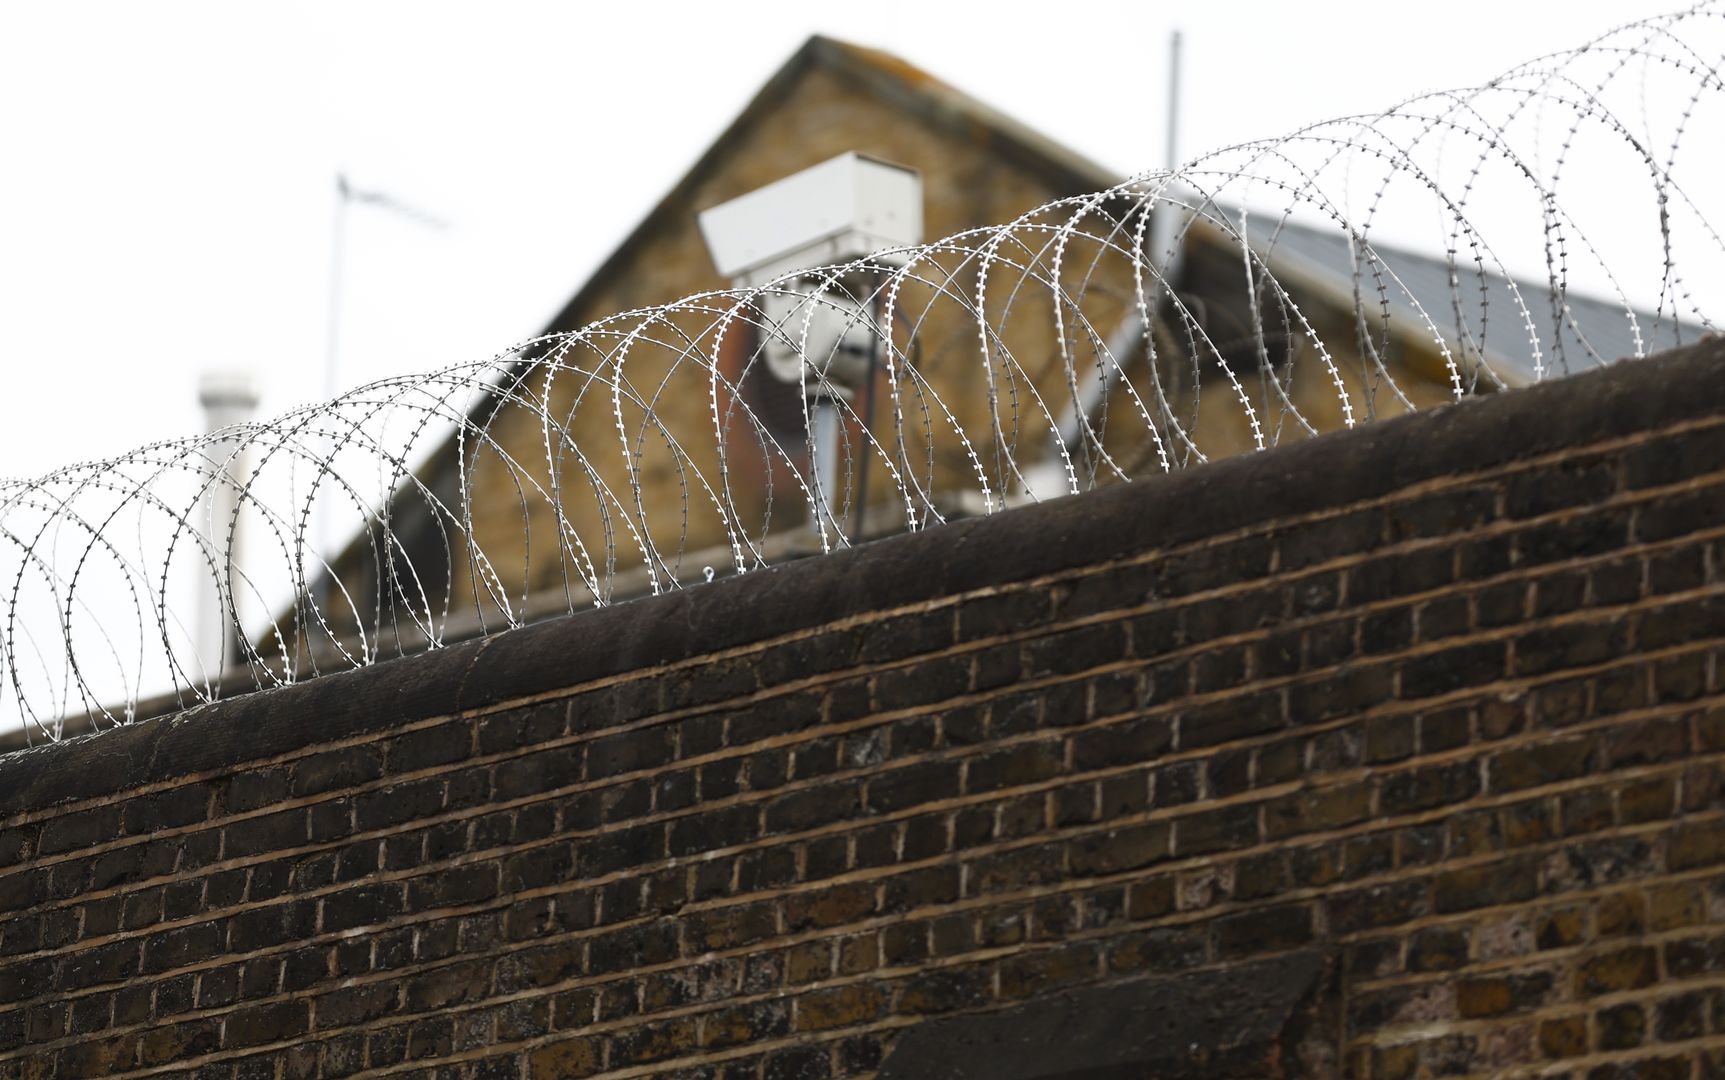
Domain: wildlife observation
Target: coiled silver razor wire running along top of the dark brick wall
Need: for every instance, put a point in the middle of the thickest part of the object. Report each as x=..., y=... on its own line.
x=1233, y=305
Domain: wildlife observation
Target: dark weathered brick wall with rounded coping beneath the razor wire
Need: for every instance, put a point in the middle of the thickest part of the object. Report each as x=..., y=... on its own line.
x=1388, y=755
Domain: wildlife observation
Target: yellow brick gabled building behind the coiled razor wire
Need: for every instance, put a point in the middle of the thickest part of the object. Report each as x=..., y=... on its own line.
x=658, y=506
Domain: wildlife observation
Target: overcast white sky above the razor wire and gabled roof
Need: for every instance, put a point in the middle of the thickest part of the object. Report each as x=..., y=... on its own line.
x=168, y=184
